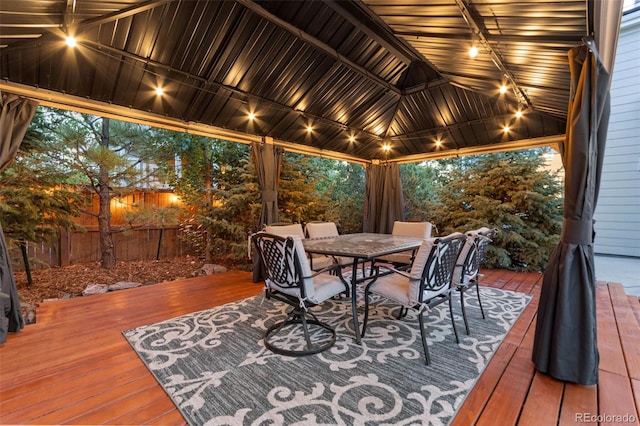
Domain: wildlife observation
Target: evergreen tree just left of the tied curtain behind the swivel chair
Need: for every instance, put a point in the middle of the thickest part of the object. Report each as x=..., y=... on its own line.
x=219, y=188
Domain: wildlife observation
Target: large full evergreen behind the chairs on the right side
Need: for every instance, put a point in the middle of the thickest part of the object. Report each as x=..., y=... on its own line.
x=512, y=192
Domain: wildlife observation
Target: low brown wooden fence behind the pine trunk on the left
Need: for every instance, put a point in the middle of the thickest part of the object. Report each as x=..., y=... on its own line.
x=81, y=247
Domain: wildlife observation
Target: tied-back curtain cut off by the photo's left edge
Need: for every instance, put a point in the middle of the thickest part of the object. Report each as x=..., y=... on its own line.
x=14, y=121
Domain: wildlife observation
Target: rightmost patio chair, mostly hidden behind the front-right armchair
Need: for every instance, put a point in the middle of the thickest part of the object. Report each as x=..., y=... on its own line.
x=467, y=272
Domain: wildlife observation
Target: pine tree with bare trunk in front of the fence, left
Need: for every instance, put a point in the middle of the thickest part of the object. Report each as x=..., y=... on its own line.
x=104, y=156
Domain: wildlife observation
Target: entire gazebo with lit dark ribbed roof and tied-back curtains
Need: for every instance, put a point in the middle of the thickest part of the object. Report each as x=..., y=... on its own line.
x=374, y=82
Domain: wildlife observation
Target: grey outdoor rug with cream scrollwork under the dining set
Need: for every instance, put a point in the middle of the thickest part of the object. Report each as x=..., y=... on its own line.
x=214, y=366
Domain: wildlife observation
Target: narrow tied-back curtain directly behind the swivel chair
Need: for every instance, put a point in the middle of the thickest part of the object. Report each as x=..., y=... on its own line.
x=267, y=159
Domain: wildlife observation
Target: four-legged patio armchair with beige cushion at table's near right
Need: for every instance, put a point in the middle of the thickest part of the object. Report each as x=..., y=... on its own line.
x=427, y=284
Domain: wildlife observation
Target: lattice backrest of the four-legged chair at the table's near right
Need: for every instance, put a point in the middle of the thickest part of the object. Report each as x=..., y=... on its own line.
x=433, y=266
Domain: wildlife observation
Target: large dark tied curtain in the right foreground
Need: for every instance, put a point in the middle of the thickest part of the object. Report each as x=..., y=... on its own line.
x=565, y=344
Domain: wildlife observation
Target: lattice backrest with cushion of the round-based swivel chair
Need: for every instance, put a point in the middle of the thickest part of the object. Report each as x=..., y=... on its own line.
x=285, y=263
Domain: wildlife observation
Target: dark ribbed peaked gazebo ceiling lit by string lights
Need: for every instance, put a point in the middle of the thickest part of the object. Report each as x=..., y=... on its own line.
x=393, y=73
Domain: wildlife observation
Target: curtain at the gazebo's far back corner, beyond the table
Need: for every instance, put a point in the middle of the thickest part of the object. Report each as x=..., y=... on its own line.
x=384, y=203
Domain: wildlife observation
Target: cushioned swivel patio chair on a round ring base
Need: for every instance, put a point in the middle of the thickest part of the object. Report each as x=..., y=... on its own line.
x=289, y=279
